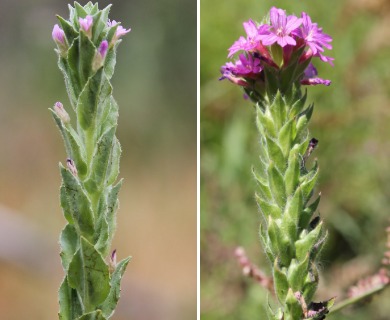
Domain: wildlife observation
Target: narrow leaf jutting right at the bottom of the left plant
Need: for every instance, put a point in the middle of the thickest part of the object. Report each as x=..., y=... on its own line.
x=110, y=303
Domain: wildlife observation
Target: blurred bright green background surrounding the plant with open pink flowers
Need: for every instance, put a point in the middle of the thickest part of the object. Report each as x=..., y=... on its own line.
x=351, y=121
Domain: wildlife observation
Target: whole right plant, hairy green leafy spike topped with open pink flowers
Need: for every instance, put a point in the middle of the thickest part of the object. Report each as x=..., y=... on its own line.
x=274, y=61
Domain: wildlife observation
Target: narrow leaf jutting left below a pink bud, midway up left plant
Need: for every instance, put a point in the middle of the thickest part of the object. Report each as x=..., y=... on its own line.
x=73, y=145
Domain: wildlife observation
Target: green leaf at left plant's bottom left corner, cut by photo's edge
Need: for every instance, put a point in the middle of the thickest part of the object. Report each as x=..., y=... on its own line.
x=70, y=307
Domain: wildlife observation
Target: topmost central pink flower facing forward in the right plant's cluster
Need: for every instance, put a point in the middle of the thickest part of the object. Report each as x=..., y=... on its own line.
x=281, y=28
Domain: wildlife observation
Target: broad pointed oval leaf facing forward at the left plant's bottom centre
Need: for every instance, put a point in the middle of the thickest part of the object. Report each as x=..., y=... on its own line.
x=89, y=275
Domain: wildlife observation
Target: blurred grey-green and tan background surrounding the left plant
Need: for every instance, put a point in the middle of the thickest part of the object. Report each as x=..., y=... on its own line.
x=155, y=86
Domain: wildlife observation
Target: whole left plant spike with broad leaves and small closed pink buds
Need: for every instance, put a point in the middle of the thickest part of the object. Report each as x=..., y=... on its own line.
x=86, y=47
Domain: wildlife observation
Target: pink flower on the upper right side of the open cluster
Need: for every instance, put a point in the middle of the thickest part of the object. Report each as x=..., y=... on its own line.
x=312, y=35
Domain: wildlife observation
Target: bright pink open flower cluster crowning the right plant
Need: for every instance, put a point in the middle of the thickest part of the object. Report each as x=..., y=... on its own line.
x=287, y=41
